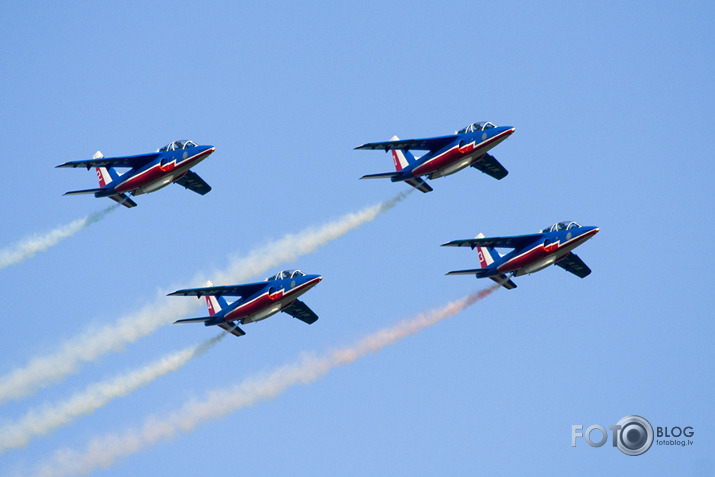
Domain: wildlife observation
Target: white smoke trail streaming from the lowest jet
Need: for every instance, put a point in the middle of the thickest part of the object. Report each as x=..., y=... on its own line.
x=39, y=422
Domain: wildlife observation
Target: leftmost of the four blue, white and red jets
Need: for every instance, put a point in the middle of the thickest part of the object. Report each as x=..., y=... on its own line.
x=148, y=172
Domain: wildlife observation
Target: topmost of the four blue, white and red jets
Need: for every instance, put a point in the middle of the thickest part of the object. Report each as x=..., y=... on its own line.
x=445, y=154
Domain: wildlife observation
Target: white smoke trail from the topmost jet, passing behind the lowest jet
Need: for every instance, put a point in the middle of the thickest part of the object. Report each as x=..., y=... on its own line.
x=44, y=370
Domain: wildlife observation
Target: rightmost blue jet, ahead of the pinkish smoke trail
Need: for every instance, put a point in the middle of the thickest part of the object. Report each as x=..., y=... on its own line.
x=531, y=253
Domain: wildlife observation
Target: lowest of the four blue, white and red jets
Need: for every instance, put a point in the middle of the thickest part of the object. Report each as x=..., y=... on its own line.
x=257, y=301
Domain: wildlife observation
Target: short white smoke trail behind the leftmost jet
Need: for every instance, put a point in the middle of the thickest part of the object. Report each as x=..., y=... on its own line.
x=29, y=246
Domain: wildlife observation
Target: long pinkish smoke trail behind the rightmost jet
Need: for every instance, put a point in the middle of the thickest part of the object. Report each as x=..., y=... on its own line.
x=107, y=450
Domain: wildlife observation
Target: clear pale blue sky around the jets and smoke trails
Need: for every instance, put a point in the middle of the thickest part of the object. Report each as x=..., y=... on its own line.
x=613, y=106
